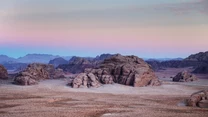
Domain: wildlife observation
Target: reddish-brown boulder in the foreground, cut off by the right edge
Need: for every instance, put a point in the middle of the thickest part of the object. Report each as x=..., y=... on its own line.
x=199, y=99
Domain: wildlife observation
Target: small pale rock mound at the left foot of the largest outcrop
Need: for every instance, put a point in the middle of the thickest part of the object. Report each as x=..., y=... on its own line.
x=85, y=80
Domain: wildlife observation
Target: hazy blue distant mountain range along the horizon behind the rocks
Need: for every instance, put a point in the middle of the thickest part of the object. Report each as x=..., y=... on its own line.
x=199, y=61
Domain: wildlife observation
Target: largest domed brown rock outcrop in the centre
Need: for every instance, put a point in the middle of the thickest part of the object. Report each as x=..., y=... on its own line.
x=126, y=70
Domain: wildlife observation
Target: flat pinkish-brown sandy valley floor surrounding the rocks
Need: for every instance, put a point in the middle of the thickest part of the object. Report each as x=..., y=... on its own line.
x=52, y=98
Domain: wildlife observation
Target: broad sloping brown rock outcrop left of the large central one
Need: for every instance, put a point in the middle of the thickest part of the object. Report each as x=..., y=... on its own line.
x=36, y=72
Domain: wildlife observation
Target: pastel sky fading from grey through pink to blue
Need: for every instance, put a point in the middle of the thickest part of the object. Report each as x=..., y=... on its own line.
x=146, y=28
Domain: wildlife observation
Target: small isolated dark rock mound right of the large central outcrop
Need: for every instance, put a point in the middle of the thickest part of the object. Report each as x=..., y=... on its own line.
x=184, y=77
